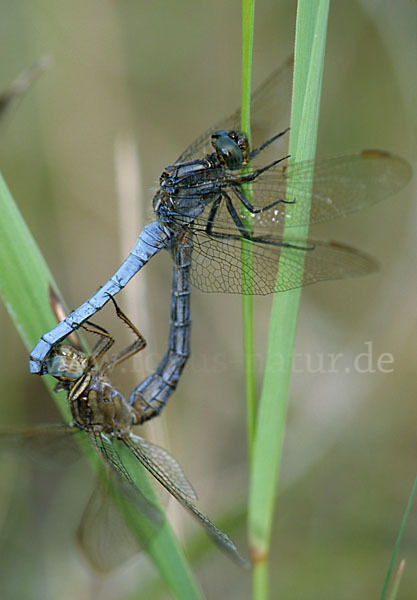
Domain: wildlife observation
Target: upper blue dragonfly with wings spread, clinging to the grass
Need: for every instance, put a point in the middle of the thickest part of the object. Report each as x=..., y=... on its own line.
x=201, y=206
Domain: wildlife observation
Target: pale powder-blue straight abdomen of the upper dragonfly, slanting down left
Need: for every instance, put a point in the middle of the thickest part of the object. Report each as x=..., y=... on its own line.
x=151, y=240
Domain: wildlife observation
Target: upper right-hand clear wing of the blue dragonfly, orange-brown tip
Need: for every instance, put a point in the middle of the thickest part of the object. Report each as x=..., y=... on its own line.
x=337, y=186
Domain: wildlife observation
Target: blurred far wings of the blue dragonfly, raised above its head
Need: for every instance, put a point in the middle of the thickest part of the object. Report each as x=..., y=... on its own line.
x=270, y=114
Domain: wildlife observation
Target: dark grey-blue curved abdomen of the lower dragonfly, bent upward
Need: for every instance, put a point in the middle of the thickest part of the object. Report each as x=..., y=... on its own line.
x=149, y=398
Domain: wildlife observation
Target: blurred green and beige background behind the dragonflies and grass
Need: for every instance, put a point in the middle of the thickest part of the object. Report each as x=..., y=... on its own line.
x=131, y=84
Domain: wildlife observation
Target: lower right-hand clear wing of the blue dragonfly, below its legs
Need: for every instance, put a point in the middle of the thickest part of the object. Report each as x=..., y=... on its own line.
x=218, y=263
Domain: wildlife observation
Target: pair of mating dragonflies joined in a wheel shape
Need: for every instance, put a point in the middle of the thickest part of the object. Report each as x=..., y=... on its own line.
x=201, y=208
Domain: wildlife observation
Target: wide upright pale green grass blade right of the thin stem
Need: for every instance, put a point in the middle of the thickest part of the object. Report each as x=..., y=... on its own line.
x=309, y=58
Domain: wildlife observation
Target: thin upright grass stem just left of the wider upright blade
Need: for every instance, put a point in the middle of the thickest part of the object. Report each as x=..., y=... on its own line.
x=248, y=18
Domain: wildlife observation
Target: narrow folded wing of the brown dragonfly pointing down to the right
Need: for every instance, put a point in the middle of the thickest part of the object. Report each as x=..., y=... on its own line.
x=140, y=448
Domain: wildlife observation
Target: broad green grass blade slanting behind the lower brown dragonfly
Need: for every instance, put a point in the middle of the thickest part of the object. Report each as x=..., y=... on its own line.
x=24, y=286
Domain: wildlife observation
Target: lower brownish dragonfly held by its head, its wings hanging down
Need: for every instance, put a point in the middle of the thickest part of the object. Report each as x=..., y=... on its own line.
x=106, y=419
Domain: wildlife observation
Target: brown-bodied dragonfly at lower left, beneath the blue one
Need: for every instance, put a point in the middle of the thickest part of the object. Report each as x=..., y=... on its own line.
x=101, y=414
